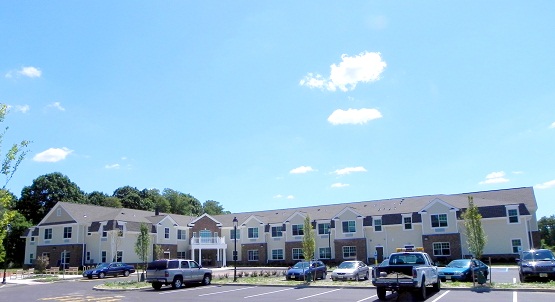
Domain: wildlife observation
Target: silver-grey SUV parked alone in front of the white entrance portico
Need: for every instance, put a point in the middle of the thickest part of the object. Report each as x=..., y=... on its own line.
x=176, y=272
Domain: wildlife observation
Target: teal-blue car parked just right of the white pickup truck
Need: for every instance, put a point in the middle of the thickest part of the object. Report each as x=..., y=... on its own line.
x=461, y=270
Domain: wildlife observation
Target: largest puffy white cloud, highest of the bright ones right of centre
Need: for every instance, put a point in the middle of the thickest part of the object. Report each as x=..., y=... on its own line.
x=365, y=67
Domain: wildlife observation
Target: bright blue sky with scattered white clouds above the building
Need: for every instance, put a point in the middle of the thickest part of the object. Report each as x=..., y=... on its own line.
x=277, y=104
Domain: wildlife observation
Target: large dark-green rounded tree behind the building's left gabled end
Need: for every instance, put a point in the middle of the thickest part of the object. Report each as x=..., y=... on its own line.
x=39, y=198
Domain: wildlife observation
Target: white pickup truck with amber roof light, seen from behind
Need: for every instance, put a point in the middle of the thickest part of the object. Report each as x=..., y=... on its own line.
x=408, y=270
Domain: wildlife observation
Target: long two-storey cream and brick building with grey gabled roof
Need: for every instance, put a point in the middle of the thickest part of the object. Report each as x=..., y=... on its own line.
x=78, y=234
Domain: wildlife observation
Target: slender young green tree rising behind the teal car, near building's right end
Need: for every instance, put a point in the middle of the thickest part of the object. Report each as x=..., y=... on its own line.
x=475, y=236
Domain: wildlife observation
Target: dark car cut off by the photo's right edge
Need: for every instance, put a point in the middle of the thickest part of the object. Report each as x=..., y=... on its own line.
x=536, y=264
